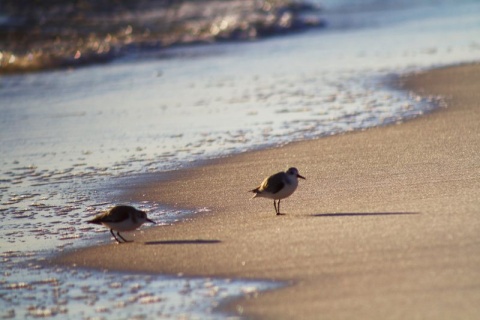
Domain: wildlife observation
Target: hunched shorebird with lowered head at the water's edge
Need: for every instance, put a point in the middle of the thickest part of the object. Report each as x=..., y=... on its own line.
x=121, y=218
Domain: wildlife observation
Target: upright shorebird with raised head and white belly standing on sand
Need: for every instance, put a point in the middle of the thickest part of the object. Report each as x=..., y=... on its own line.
x=278, y=186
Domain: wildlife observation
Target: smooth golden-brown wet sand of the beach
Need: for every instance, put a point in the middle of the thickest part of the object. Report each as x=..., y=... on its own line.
x=386, y=225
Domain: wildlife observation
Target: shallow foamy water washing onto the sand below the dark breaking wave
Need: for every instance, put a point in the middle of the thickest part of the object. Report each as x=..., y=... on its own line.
x=67, y=135
